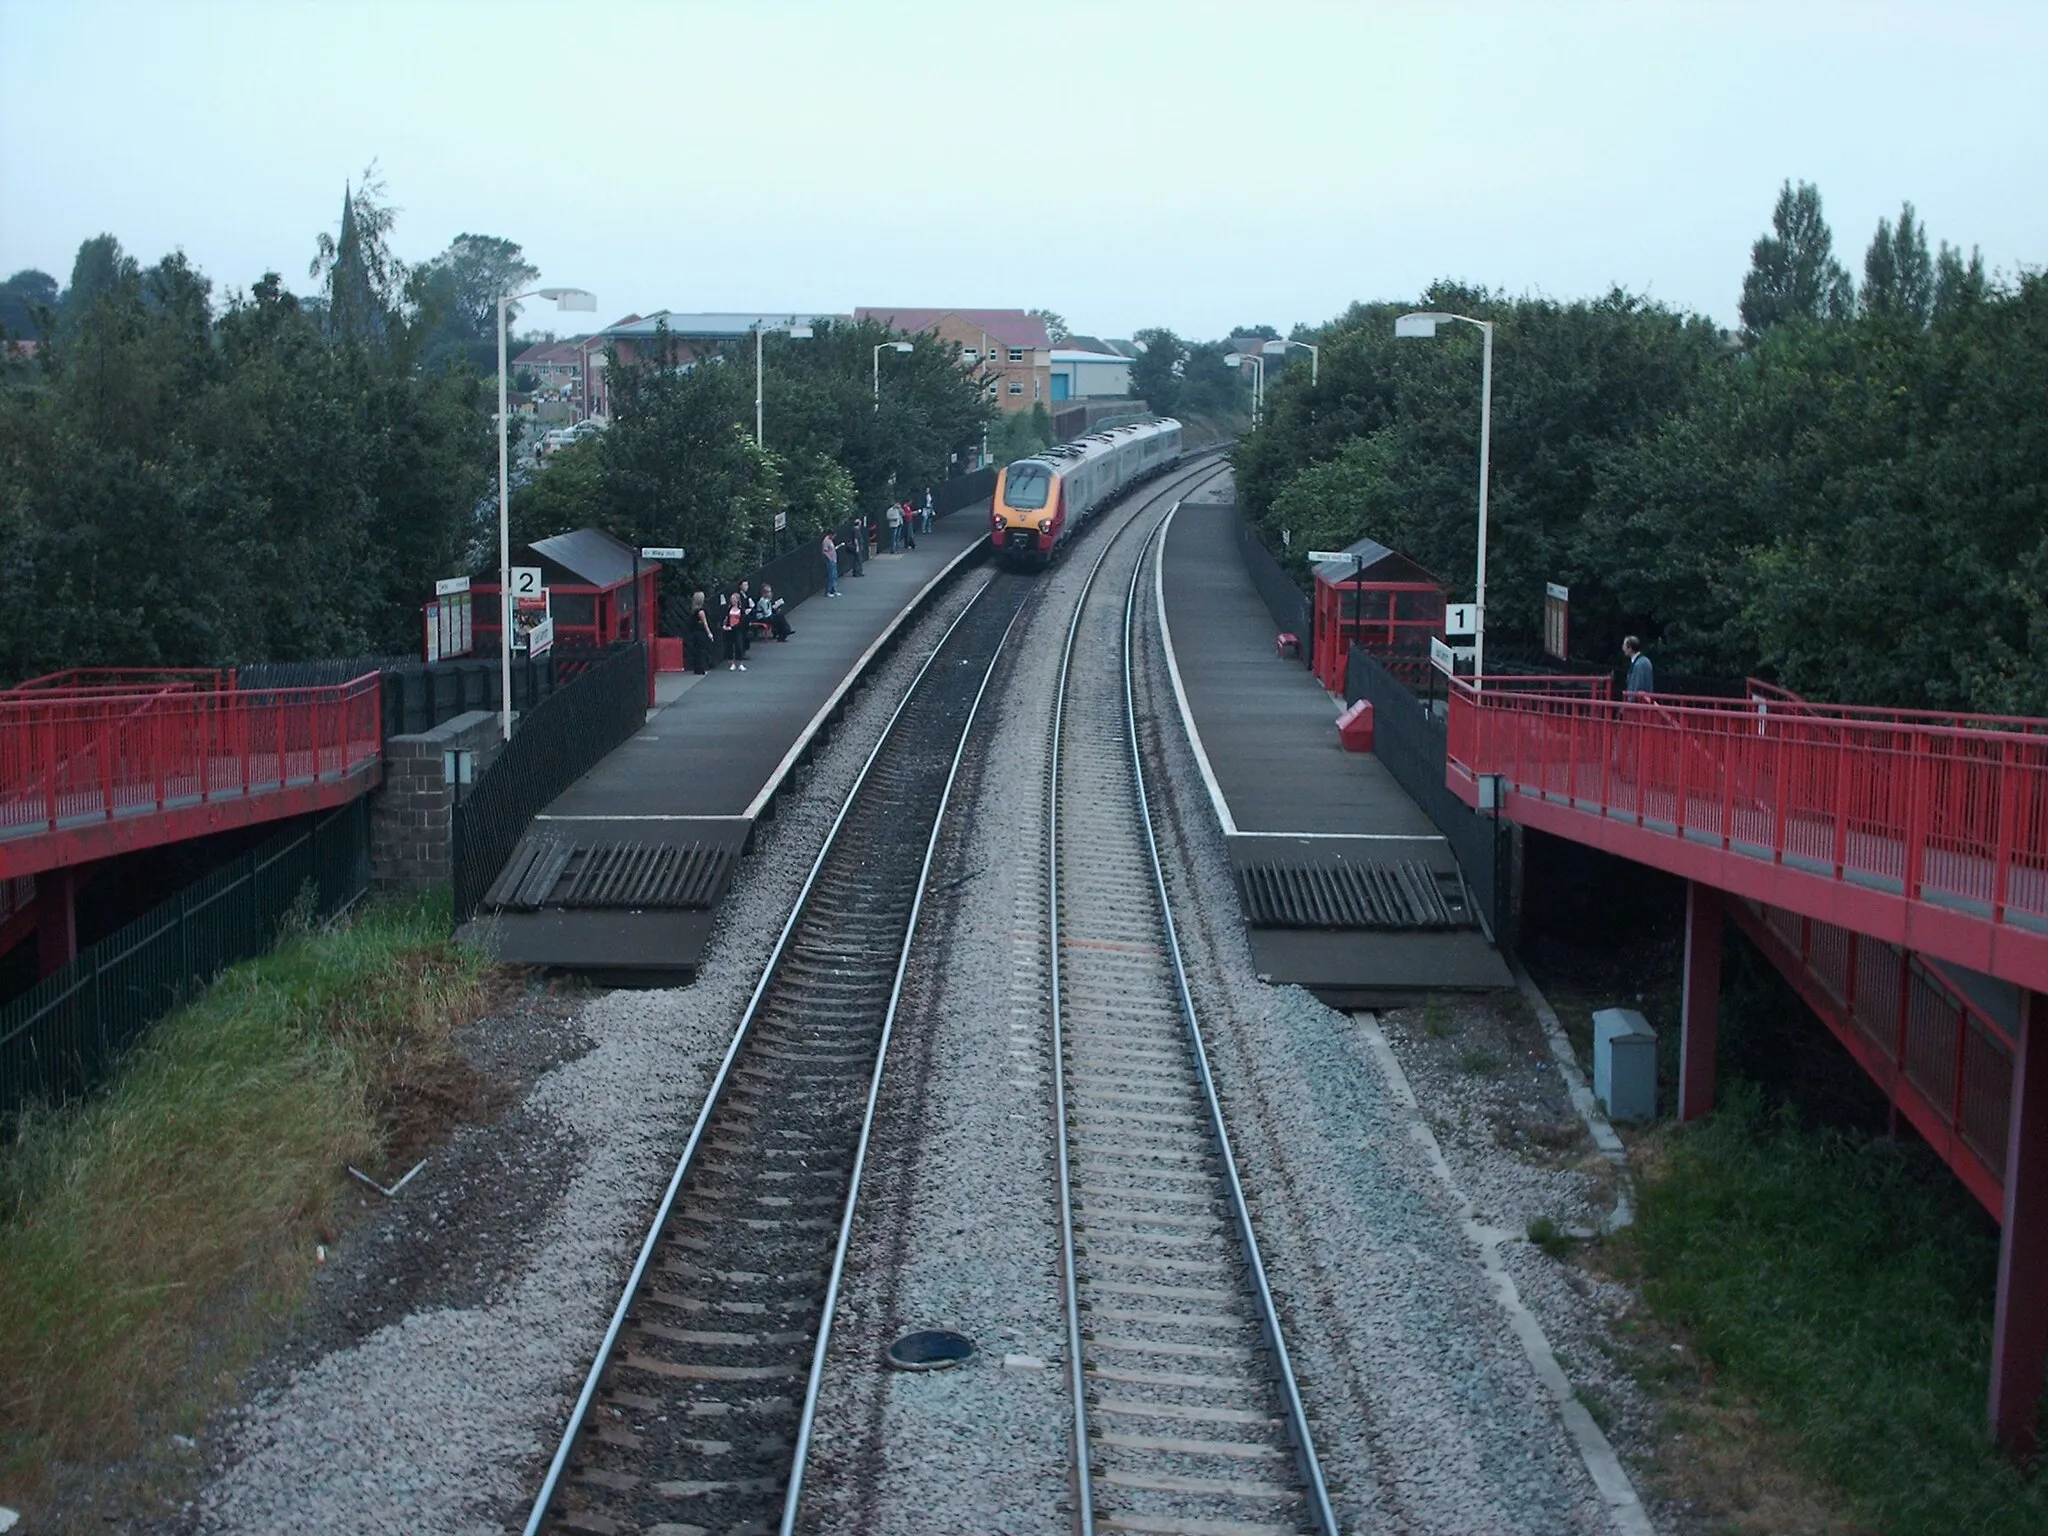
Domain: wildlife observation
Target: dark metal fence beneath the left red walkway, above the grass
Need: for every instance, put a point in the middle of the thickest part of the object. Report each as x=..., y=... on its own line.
x=65, y=1035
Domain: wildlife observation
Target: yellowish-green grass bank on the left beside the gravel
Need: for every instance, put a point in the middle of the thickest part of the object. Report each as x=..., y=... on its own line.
x=153, y=1236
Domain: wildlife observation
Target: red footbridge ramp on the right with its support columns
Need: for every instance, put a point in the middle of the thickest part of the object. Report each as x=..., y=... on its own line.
x=1893, y=865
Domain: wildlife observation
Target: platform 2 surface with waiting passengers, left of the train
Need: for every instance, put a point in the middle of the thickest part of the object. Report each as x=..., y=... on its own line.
x=624, y=873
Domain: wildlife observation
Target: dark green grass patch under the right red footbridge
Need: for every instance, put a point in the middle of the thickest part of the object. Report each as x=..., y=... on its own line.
x=1842, y=1285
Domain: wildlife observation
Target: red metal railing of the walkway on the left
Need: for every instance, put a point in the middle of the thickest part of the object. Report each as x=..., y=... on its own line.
x=79, y=749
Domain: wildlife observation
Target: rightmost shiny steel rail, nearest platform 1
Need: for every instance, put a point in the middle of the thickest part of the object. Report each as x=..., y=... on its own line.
x=1297, y=1418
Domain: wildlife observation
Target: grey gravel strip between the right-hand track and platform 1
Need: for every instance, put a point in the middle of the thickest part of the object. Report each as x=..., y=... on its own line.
x=1426, y=1410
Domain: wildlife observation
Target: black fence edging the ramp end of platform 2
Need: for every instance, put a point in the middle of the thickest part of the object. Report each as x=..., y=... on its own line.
x=556, y=744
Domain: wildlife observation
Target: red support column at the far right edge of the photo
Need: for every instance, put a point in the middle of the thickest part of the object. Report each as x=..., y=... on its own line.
x=2020, y=1328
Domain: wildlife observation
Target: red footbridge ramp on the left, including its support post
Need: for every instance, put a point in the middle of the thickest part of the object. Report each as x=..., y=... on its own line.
x=103, y=763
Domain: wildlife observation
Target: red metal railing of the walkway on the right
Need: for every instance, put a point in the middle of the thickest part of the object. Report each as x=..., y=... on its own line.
x=1945, y=810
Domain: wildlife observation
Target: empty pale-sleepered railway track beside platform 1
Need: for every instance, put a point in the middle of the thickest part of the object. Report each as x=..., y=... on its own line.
x=1187, y=1418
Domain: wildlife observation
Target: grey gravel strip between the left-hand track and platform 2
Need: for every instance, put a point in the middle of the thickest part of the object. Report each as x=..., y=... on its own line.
x=443, y=1414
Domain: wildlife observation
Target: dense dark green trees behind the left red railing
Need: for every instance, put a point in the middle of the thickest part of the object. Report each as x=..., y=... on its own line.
x=198, y=484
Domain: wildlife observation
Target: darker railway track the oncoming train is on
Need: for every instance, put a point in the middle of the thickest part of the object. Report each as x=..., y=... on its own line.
x=697, y=1408
